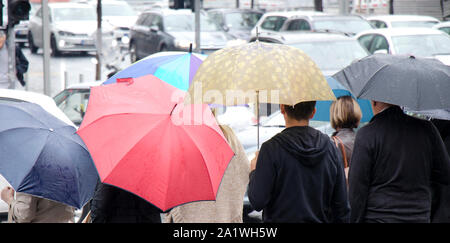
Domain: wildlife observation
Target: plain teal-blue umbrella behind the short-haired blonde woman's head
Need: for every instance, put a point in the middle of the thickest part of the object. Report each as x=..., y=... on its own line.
x=323, y=107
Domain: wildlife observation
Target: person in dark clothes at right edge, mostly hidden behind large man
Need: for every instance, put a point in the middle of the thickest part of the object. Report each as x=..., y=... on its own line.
x=440, y=209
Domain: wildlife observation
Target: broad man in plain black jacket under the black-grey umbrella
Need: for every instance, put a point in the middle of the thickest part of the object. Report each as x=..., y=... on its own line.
x=395, y=160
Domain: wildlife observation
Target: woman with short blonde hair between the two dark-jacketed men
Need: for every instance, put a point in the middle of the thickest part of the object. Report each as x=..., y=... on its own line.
x=345, y=115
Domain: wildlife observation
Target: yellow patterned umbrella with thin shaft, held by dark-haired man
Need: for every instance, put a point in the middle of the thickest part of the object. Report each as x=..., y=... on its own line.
x=258, y=72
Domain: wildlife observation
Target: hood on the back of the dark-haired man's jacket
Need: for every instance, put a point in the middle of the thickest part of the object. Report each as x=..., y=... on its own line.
x=306, y=144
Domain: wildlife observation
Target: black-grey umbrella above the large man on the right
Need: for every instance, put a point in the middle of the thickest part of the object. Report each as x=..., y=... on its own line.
x=416, y=83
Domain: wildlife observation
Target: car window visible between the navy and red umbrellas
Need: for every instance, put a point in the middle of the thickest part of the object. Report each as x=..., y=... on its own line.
x=73, y=103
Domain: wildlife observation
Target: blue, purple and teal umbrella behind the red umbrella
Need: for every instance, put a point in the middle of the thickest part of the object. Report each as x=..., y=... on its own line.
x=175, y=68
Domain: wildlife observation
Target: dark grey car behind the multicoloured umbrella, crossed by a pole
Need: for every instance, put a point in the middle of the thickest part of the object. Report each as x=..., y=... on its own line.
x=174, y=30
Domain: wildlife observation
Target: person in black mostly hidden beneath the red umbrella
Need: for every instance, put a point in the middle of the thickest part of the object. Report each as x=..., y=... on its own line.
x=114, y=205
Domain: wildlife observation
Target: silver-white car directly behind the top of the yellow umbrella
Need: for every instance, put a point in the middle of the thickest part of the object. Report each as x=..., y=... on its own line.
x=330, y=51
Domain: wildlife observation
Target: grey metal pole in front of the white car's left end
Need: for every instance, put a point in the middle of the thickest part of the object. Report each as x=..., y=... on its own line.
x=46, y=46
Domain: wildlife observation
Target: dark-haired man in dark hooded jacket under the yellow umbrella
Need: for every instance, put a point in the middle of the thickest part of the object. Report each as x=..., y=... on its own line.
x=298, y=175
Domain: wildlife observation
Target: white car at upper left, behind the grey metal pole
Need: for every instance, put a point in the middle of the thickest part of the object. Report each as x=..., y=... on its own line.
x=72, y=28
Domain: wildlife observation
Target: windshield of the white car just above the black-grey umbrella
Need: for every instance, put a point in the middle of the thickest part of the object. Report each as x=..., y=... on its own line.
x=422, y=45
